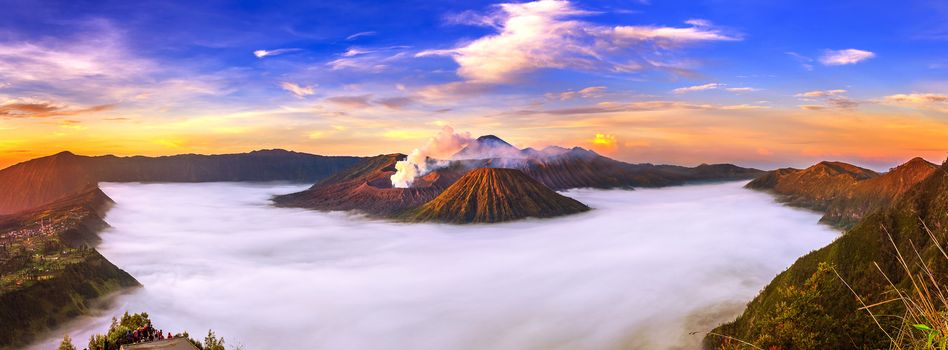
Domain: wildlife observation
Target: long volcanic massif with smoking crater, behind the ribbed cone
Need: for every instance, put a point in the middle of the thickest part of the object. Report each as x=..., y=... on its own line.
x=367, y=187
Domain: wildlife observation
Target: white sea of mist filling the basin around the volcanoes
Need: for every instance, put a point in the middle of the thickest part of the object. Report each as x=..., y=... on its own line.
x=640, y=271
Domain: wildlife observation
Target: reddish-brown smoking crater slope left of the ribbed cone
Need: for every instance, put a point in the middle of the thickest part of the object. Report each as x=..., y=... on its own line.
x=367, y=187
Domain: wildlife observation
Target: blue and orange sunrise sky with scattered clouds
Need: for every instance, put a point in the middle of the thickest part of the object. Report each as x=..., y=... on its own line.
x=765, y=84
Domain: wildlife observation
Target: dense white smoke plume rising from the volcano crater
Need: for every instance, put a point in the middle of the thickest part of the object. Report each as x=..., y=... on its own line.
x=429, y=157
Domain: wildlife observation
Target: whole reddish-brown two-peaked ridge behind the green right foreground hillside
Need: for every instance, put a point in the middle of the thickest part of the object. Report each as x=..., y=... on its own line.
x=844, y=192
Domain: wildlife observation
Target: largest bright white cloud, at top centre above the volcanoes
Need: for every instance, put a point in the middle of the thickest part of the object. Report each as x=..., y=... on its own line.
x=543, y=34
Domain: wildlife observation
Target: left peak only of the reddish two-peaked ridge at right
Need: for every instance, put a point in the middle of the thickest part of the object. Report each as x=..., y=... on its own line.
x=813, y=187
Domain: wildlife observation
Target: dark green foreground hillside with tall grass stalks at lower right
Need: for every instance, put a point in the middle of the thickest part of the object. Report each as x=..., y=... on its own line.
x=854, y=256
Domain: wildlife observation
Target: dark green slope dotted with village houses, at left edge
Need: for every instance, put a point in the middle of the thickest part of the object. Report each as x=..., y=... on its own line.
x=43, y=287
